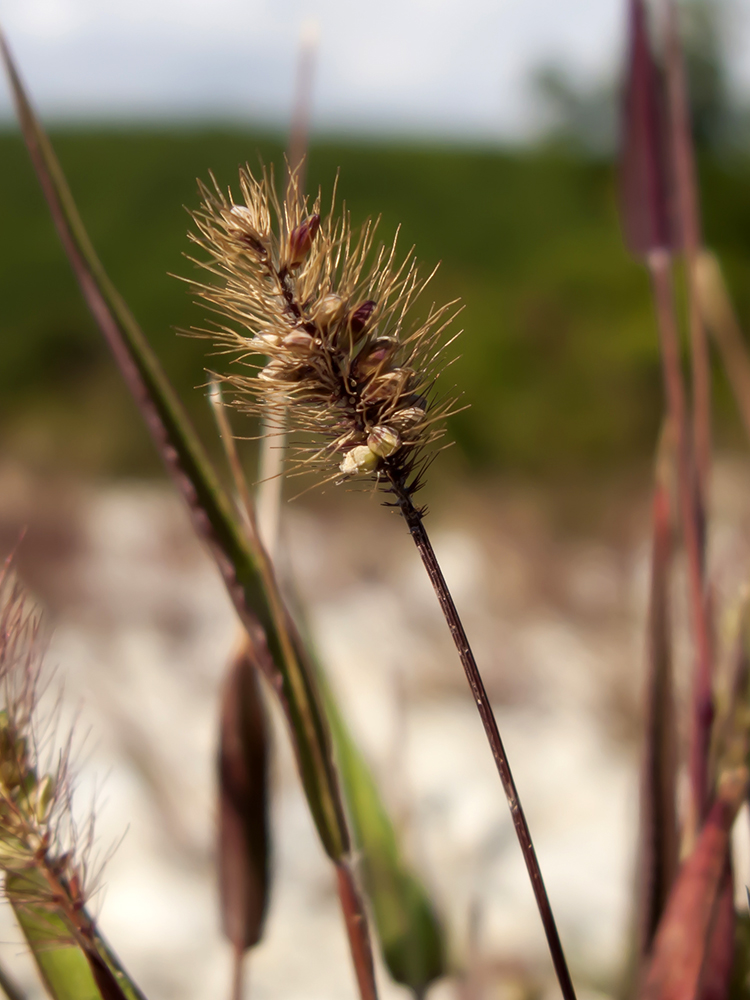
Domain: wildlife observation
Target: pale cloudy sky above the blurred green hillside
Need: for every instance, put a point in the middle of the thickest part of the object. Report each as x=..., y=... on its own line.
x=446, y=67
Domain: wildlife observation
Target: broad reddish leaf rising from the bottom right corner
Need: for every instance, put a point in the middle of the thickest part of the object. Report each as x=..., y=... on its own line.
x=685, y=934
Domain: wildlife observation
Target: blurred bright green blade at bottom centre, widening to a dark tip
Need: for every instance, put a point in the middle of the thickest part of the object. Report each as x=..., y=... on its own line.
x=410, y=933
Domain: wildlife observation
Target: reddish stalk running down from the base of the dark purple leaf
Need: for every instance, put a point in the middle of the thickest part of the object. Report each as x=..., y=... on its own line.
x=702, y=701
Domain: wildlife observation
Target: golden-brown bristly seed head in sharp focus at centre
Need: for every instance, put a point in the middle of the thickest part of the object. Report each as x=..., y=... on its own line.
x=328, y=317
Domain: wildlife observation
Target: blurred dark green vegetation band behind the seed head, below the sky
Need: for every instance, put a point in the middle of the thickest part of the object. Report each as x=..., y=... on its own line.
x=559, y=359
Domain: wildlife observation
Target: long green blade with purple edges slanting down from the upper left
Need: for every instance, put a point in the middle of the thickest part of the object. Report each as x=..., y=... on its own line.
x=250, y=584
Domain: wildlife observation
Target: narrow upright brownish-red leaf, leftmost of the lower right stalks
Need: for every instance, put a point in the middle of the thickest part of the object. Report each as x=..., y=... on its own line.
x=659, y=848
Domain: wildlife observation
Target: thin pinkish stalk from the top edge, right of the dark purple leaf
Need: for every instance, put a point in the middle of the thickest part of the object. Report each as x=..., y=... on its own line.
x=688, y=211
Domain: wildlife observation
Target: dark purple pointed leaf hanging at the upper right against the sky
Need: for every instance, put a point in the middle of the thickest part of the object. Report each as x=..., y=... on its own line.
x=644, y=204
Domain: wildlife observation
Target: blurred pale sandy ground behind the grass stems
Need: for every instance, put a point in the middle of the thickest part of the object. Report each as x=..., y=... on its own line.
x=142, y=632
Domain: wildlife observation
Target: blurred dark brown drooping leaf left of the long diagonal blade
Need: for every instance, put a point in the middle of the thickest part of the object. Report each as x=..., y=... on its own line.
x=243, y=811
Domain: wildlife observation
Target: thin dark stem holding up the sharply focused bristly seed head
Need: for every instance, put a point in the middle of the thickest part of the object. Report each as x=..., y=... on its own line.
x=413, y=518
